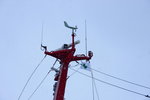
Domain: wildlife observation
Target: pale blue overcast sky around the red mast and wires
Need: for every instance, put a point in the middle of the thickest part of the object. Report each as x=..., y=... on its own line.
x=118, y=34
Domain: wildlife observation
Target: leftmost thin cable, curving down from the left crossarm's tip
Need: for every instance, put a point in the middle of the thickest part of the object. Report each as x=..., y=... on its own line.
x=30, y=77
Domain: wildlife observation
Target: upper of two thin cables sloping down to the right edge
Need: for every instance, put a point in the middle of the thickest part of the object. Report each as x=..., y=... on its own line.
x=121, y=79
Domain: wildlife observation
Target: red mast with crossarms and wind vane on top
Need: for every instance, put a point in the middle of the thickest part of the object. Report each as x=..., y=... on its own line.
x=65, y=55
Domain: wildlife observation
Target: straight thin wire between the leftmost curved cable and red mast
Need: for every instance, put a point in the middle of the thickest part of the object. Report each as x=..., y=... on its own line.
x=42, y=80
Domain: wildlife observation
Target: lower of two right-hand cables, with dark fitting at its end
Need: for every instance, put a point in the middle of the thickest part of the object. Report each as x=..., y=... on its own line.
x=138, y=93
